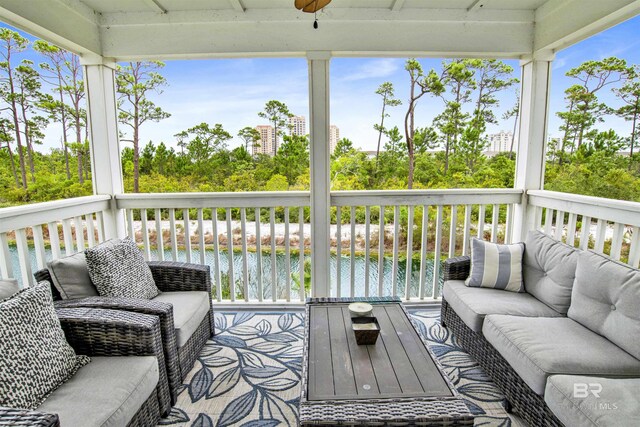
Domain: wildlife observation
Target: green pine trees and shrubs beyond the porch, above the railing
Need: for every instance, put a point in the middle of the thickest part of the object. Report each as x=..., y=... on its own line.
x=448, y=152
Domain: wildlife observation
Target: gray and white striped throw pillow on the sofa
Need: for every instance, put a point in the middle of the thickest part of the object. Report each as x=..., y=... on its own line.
x=496, y=266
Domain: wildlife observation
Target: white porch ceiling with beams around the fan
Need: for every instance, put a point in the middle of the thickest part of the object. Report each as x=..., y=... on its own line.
x=164, y=29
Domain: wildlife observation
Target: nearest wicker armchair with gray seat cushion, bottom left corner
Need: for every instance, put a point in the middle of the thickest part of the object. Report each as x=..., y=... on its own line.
x=124, y=384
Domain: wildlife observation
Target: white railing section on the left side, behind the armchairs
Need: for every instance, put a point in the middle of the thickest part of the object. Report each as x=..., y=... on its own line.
x=78, y=220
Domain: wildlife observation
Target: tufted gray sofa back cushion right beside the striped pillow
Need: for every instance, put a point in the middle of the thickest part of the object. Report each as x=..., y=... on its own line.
x=549, y=269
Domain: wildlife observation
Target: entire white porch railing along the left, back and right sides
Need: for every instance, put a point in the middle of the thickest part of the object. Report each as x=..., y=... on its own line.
x=243, y=235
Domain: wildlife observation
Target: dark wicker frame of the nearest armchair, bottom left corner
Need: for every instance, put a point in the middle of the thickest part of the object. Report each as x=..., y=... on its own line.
x=95, y=332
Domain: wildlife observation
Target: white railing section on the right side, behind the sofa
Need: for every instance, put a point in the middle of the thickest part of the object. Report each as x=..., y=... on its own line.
x=607, y=226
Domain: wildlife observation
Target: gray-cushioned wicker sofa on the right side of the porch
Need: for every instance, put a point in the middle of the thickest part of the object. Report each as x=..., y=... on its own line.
x=571, y=336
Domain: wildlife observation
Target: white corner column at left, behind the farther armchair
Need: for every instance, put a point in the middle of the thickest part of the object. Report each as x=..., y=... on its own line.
x=106, y=167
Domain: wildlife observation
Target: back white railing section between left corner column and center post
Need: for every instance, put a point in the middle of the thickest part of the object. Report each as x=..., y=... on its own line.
x=213, y=222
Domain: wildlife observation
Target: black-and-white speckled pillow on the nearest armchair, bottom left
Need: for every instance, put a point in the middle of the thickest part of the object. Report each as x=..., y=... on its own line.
x=35, y=357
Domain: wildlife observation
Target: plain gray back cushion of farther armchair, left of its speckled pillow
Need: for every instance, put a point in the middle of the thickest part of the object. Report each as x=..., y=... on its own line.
x=71, y=278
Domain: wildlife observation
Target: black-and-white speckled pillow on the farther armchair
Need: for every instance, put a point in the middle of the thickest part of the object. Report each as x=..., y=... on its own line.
x=118, y=269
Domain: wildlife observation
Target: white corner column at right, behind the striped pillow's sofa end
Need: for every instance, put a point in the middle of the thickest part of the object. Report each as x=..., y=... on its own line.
x=532, y=134
